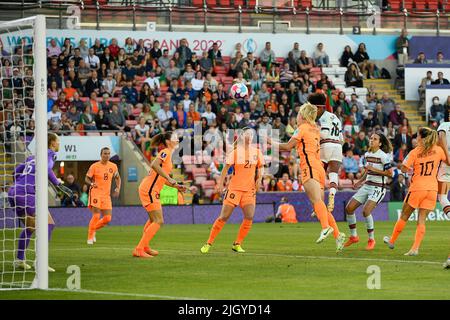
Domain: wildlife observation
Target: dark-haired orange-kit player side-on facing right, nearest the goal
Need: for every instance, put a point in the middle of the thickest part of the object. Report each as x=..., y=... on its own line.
x=150, y=188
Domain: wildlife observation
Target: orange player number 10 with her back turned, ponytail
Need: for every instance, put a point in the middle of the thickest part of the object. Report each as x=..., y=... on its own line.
x=424, y=161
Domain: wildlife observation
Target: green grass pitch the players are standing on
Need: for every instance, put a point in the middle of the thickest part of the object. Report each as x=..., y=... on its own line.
x=282, y=262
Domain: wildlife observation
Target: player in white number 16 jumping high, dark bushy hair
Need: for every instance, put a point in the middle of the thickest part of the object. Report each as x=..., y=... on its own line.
x=331, y=141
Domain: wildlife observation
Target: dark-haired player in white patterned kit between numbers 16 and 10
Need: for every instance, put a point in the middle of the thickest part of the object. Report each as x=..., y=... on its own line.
x=372, y=187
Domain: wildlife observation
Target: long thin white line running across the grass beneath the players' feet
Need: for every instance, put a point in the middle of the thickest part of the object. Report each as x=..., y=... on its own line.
x=272, y=255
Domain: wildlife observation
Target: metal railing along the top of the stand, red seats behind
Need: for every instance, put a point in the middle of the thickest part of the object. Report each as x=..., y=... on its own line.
x=172, y=15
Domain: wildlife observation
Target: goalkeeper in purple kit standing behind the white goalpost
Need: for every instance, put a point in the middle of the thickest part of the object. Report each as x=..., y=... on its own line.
x=22, y=197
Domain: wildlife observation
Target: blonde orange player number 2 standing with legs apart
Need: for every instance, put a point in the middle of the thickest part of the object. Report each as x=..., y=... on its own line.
x=247, y=161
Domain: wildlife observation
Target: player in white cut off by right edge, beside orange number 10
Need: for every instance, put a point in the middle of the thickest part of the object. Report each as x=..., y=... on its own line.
x=444, y=174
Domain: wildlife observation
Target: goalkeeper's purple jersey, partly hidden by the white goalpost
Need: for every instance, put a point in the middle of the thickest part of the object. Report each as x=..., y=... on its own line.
x=25, y=174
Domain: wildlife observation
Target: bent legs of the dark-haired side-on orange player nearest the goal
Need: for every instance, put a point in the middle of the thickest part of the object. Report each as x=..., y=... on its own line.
x=143, y=249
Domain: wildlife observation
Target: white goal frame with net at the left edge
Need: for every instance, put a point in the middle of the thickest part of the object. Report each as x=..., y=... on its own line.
x=23, y=107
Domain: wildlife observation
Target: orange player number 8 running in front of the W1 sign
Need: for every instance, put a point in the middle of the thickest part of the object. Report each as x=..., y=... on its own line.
x=99, y=177
